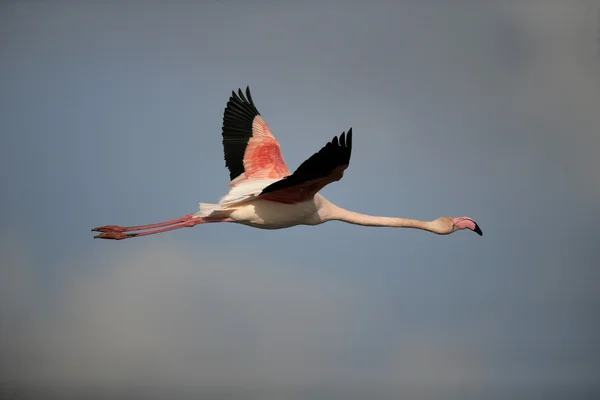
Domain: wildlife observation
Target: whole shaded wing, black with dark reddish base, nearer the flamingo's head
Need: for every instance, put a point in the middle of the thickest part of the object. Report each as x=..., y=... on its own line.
x=312, y=175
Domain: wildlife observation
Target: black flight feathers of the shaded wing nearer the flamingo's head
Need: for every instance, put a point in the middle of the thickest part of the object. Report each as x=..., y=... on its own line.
x=320, y=165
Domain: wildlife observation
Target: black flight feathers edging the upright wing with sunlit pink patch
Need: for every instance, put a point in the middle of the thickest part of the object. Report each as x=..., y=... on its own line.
x=237, y=130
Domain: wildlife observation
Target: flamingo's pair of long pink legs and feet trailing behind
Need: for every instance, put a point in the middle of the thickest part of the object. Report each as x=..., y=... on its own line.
x=116, y=232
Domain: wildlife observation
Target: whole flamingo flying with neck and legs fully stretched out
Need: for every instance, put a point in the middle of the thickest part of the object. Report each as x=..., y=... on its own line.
x=264, y=194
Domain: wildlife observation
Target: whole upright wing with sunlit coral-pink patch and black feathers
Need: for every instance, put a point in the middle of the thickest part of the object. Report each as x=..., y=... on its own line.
x=251, y=150
